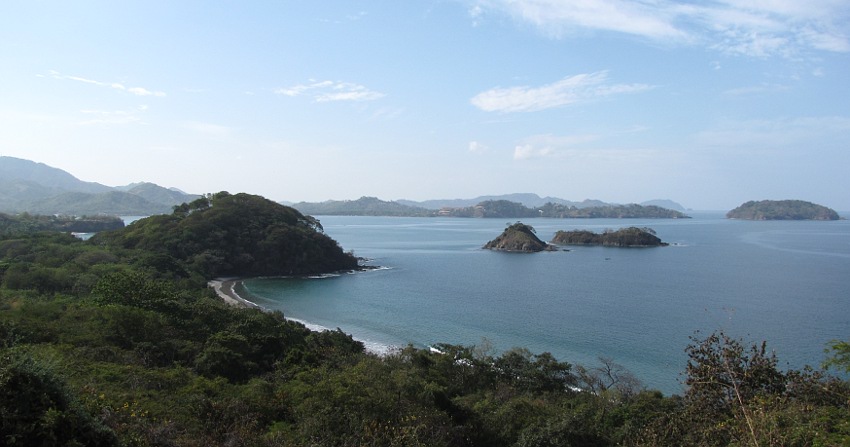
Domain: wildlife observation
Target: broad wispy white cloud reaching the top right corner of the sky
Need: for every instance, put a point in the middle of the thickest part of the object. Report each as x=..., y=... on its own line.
x=754, y=28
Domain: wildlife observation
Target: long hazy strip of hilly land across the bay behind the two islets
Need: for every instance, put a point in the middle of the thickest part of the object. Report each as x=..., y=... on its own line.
x=502, y=209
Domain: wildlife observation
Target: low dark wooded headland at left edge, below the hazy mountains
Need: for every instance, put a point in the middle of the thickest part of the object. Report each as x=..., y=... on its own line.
x=28, y=223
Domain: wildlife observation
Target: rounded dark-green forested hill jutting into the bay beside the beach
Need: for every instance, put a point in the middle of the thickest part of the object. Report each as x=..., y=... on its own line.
x=234, y=235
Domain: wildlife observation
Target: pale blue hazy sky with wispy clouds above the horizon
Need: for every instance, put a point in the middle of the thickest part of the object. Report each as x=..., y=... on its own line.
x=707, y=103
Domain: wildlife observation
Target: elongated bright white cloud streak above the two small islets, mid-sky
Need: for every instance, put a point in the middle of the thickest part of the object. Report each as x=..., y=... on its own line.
x=570, y=90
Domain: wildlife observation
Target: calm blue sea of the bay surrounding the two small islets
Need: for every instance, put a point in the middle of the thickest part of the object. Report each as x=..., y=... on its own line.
x=784, y=282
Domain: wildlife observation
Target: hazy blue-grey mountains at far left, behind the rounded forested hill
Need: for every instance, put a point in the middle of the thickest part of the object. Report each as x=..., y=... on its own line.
x=35, y=188
